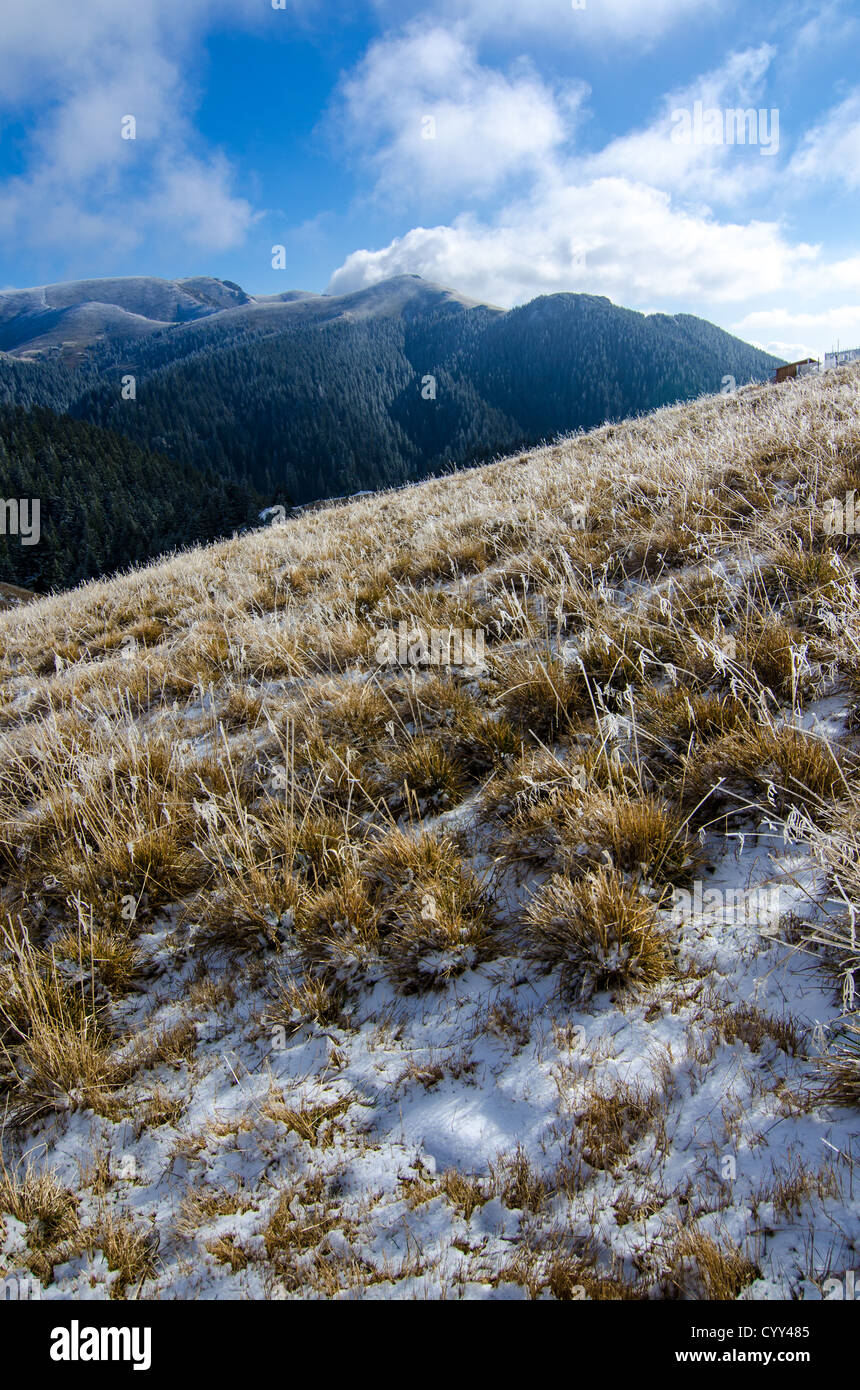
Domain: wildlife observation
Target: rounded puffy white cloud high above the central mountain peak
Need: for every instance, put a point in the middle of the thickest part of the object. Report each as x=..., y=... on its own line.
x=430, y=120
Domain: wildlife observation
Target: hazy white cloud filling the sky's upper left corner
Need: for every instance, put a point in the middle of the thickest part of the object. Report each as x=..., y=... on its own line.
x=84, y=184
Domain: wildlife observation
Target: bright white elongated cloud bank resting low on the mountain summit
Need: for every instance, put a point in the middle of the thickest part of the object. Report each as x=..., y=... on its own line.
x=638, y=250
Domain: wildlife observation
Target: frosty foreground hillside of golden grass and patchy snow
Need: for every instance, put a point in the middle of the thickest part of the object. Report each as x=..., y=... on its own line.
x=330, y=971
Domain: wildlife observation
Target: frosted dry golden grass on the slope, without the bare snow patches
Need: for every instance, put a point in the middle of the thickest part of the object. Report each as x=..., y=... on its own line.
x=213, y=751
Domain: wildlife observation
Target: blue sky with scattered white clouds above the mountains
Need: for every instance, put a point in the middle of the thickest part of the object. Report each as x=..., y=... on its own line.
x=504, y=148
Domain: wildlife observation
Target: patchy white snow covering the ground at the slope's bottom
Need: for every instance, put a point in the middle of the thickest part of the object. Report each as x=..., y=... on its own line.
x=491, y=1079
